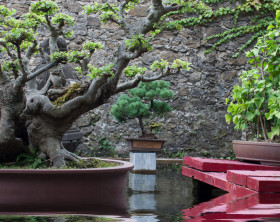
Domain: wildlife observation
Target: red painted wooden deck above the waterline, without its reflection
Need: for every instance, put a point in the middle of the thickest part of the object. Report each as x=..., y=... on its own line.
x=233, y=176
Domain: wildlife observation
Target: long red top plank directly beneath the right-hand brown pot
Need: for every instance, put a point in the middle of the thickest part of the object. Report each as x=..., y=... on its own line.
x=217, y=165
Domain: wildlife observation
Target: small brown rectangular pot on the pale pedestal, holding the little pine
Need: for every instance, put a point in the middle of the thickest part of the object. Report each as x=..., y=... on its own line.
x=145, y=144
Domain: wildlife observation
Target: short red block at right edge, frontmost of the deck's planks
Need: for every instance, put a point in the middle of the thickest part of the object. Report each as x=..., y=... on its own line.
x=264, y=184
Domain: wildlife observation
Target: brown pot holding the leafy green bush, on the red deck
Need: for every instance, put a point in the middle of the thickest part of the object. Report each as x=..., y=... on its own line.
x=263, y=152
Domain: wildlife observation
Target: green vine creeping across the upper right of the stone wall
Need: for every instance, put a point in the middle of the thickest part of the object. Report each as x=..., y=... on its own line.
x=261, y=11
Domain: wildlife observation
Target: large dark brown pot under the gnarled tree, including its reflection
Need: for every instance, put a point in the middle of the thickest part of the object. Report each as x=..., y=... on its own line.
x=85, y=191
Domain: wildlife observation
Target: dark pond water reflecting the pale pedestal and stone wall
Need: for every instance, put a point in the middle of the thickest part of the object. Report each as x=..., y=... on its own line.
x=150, y=197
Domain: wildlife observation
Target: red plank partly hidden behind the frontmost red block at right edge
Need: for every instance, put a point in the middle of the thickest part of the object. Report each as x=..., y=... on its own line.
x=240, y=176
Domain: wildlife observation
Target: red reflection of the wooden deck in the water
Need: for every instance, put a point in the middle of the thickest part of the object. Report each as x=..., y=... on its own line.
x=229, y=207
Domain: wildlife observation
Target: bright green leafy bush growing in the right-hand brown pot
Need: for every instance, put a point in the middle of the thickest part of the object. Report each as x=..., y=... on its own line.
x=254, y=105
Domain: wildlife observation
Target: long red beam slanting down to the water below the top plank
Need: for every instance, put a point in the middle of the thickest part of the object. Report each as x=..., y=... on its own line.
x=218, y=180
